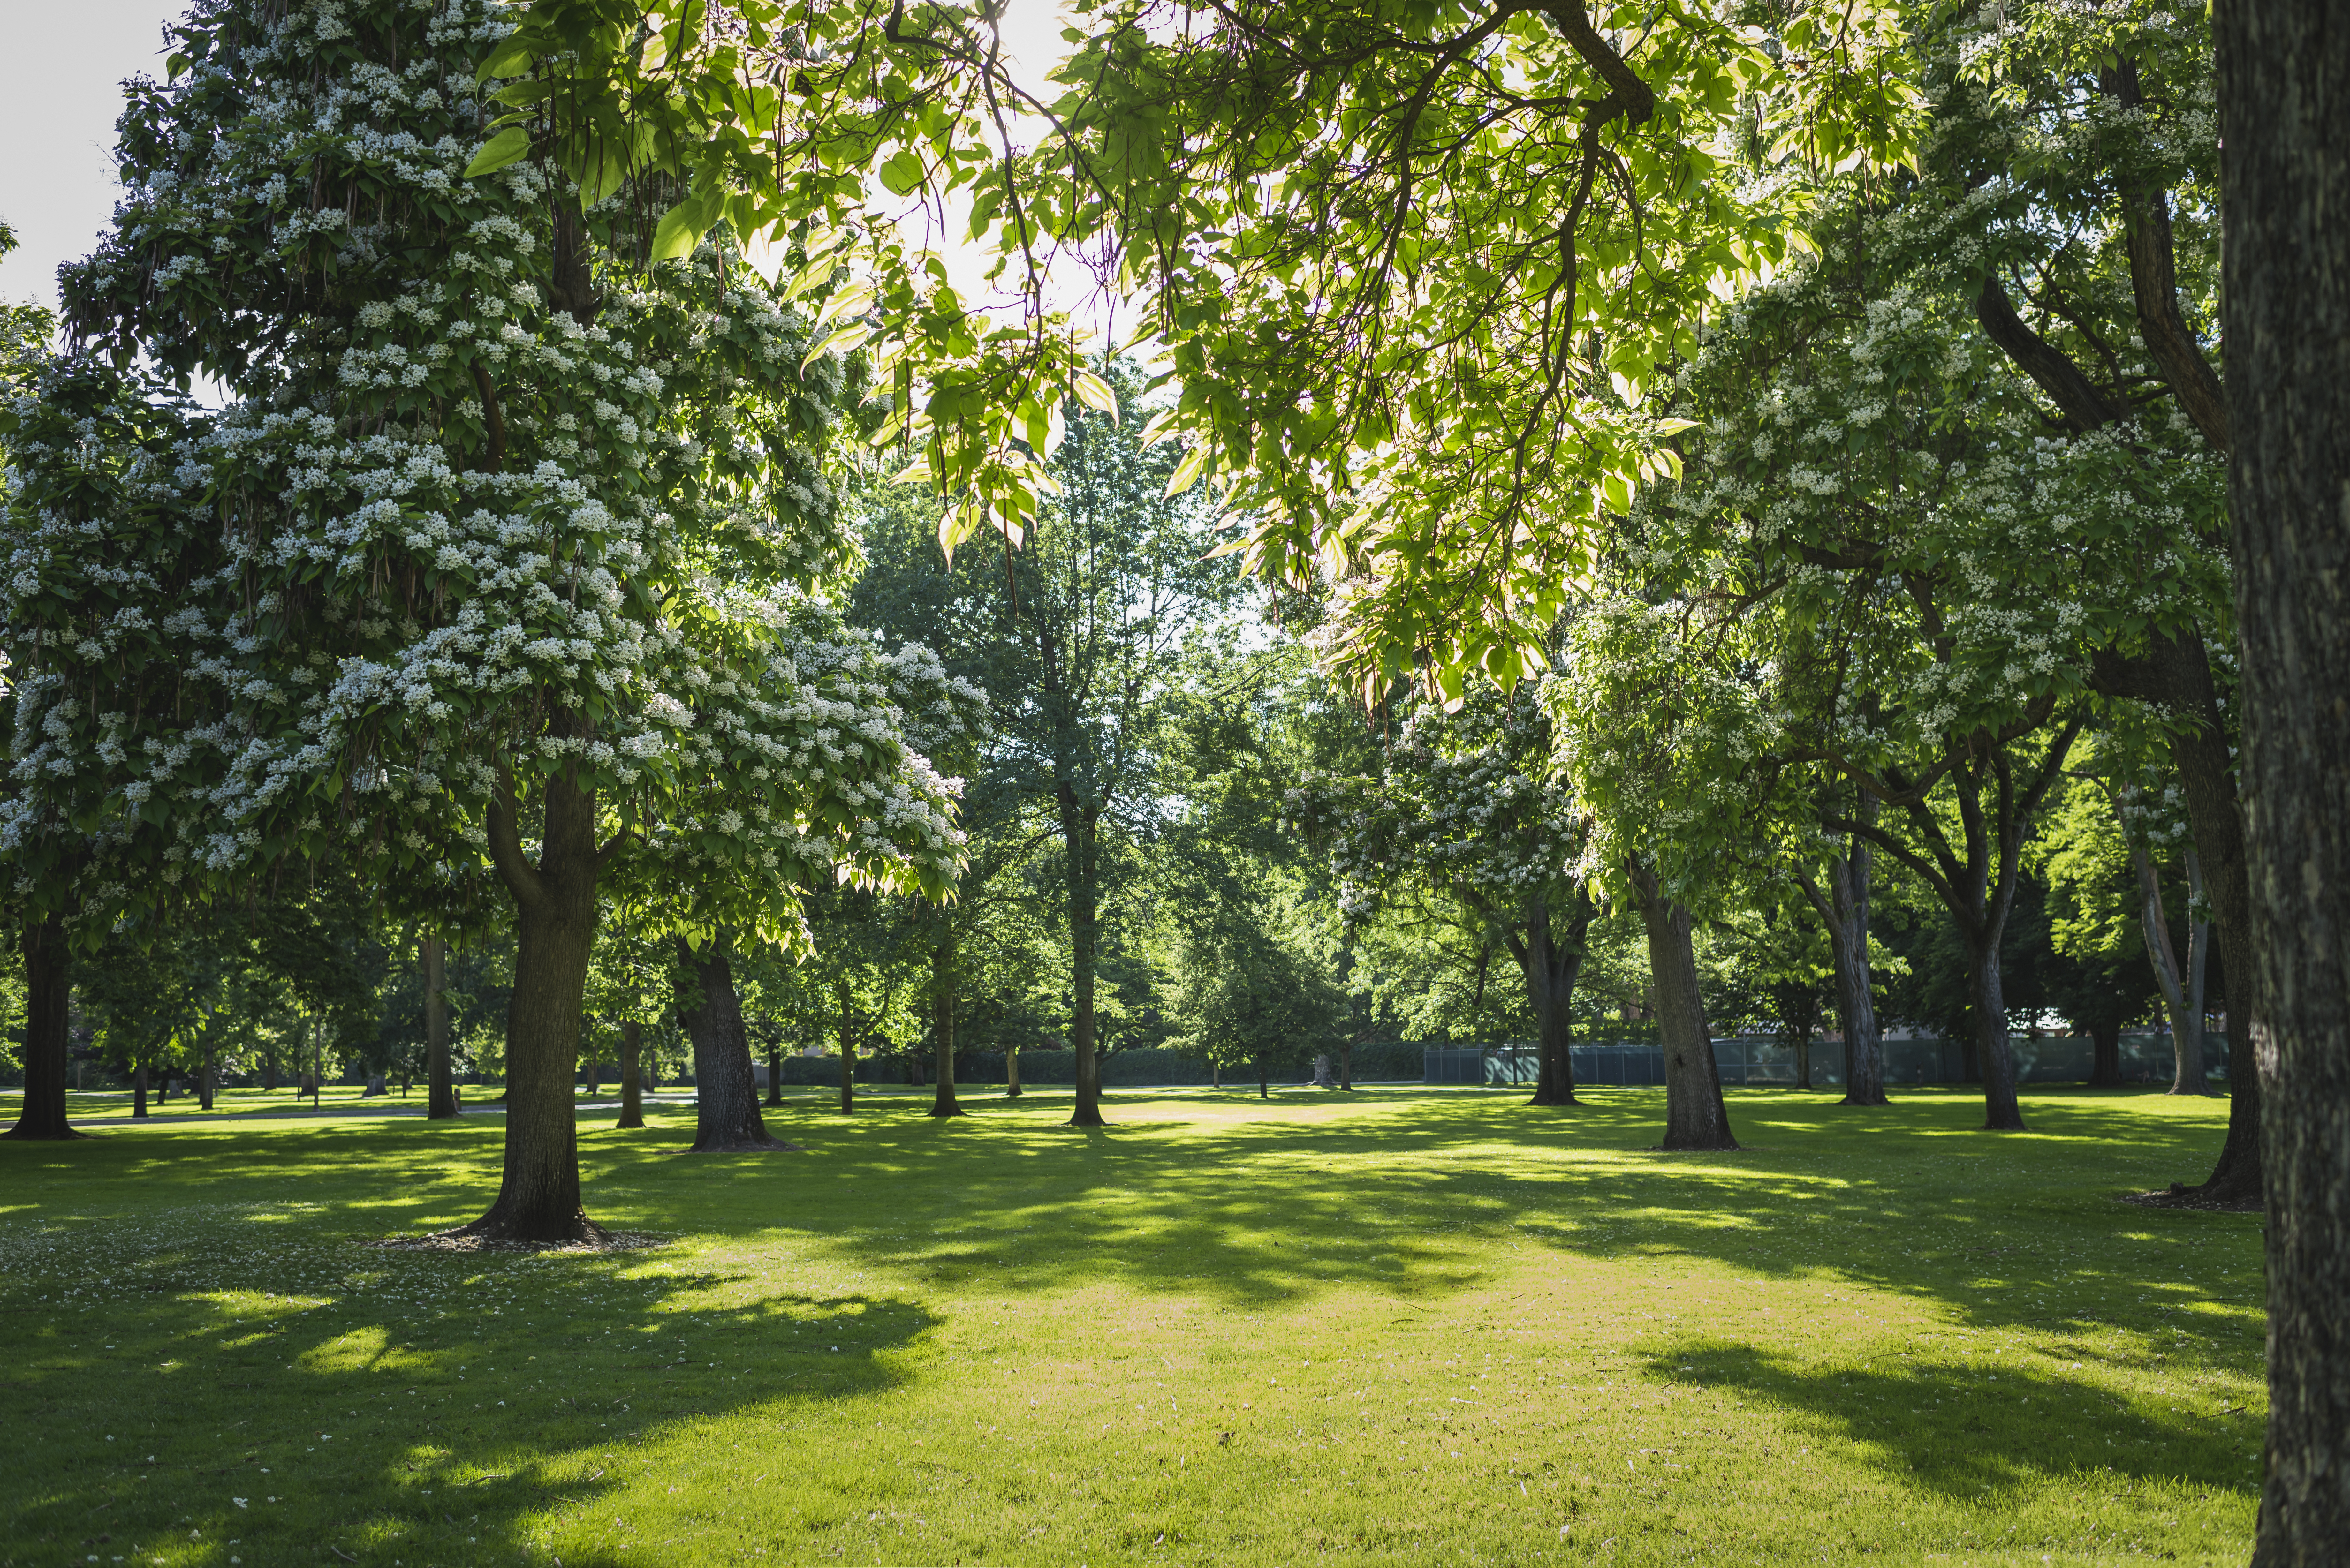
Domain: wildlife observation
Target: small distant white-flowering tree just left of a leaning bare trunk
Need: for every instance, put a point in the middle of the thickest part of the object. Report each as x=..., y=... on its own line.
x=1470, y=810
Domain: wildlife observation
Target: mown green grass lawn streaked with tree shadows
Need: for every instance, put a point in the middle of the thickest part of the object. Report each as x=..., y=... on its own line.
x=1404, y=1327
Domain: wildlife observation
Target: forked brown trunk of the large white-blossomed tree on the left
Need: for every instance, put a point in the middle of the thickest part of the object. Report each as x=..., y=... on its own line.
x=539, y=1186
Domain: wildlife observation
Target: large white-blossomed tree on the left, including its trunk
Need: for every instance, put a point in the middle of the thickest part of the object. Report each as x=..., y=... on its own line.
x=504, y=549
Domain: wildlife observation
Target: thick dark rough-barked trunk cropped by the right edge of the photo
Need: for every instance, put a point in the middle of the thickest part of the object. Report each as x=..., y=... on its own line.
x=2285, y=187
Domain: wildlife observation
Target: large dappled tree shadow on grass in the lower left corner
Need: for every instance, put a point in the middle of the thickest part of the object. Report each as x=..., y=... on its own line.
x=255, y=1379
